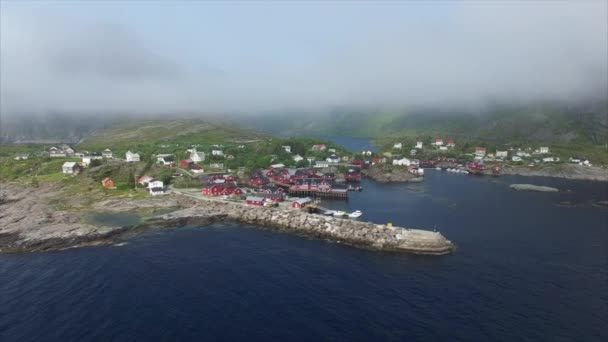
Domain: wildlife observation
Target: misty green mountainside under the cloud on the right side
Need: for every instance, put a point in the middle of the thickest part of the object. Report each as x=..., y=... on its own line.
x=540, y=123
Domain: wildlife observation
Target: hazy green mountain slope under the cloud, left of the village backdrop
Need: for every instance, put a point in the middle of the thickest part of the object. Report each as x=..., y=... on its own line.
x=94, y=132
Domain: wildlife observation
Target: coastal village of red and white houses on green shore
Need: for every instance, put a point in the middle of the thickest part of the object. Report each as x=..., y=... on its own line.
x=288, y=178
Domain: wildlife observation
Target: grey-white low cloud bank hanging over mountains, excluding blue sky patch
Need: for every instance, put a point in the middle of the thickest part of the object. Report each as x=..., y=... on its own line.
x=495, y=51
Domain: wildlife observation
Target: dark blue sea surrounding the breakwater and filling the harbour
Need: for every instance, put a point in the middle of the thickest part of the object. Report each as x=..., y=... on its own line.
x=529, y=267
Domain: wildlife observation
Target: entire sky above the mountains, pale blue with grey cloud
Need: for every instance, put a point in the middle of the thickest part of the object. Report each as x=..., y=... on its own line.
x=156, y=57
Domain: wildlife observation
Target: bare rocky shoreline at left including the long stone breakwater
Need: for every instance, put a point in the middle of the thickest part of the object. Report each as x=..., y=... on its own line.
x=28, y=223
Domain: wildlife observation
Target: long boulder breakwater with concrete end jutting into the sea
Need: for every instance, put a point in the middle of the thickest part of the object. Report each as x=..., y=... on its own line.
x=360, y=234
